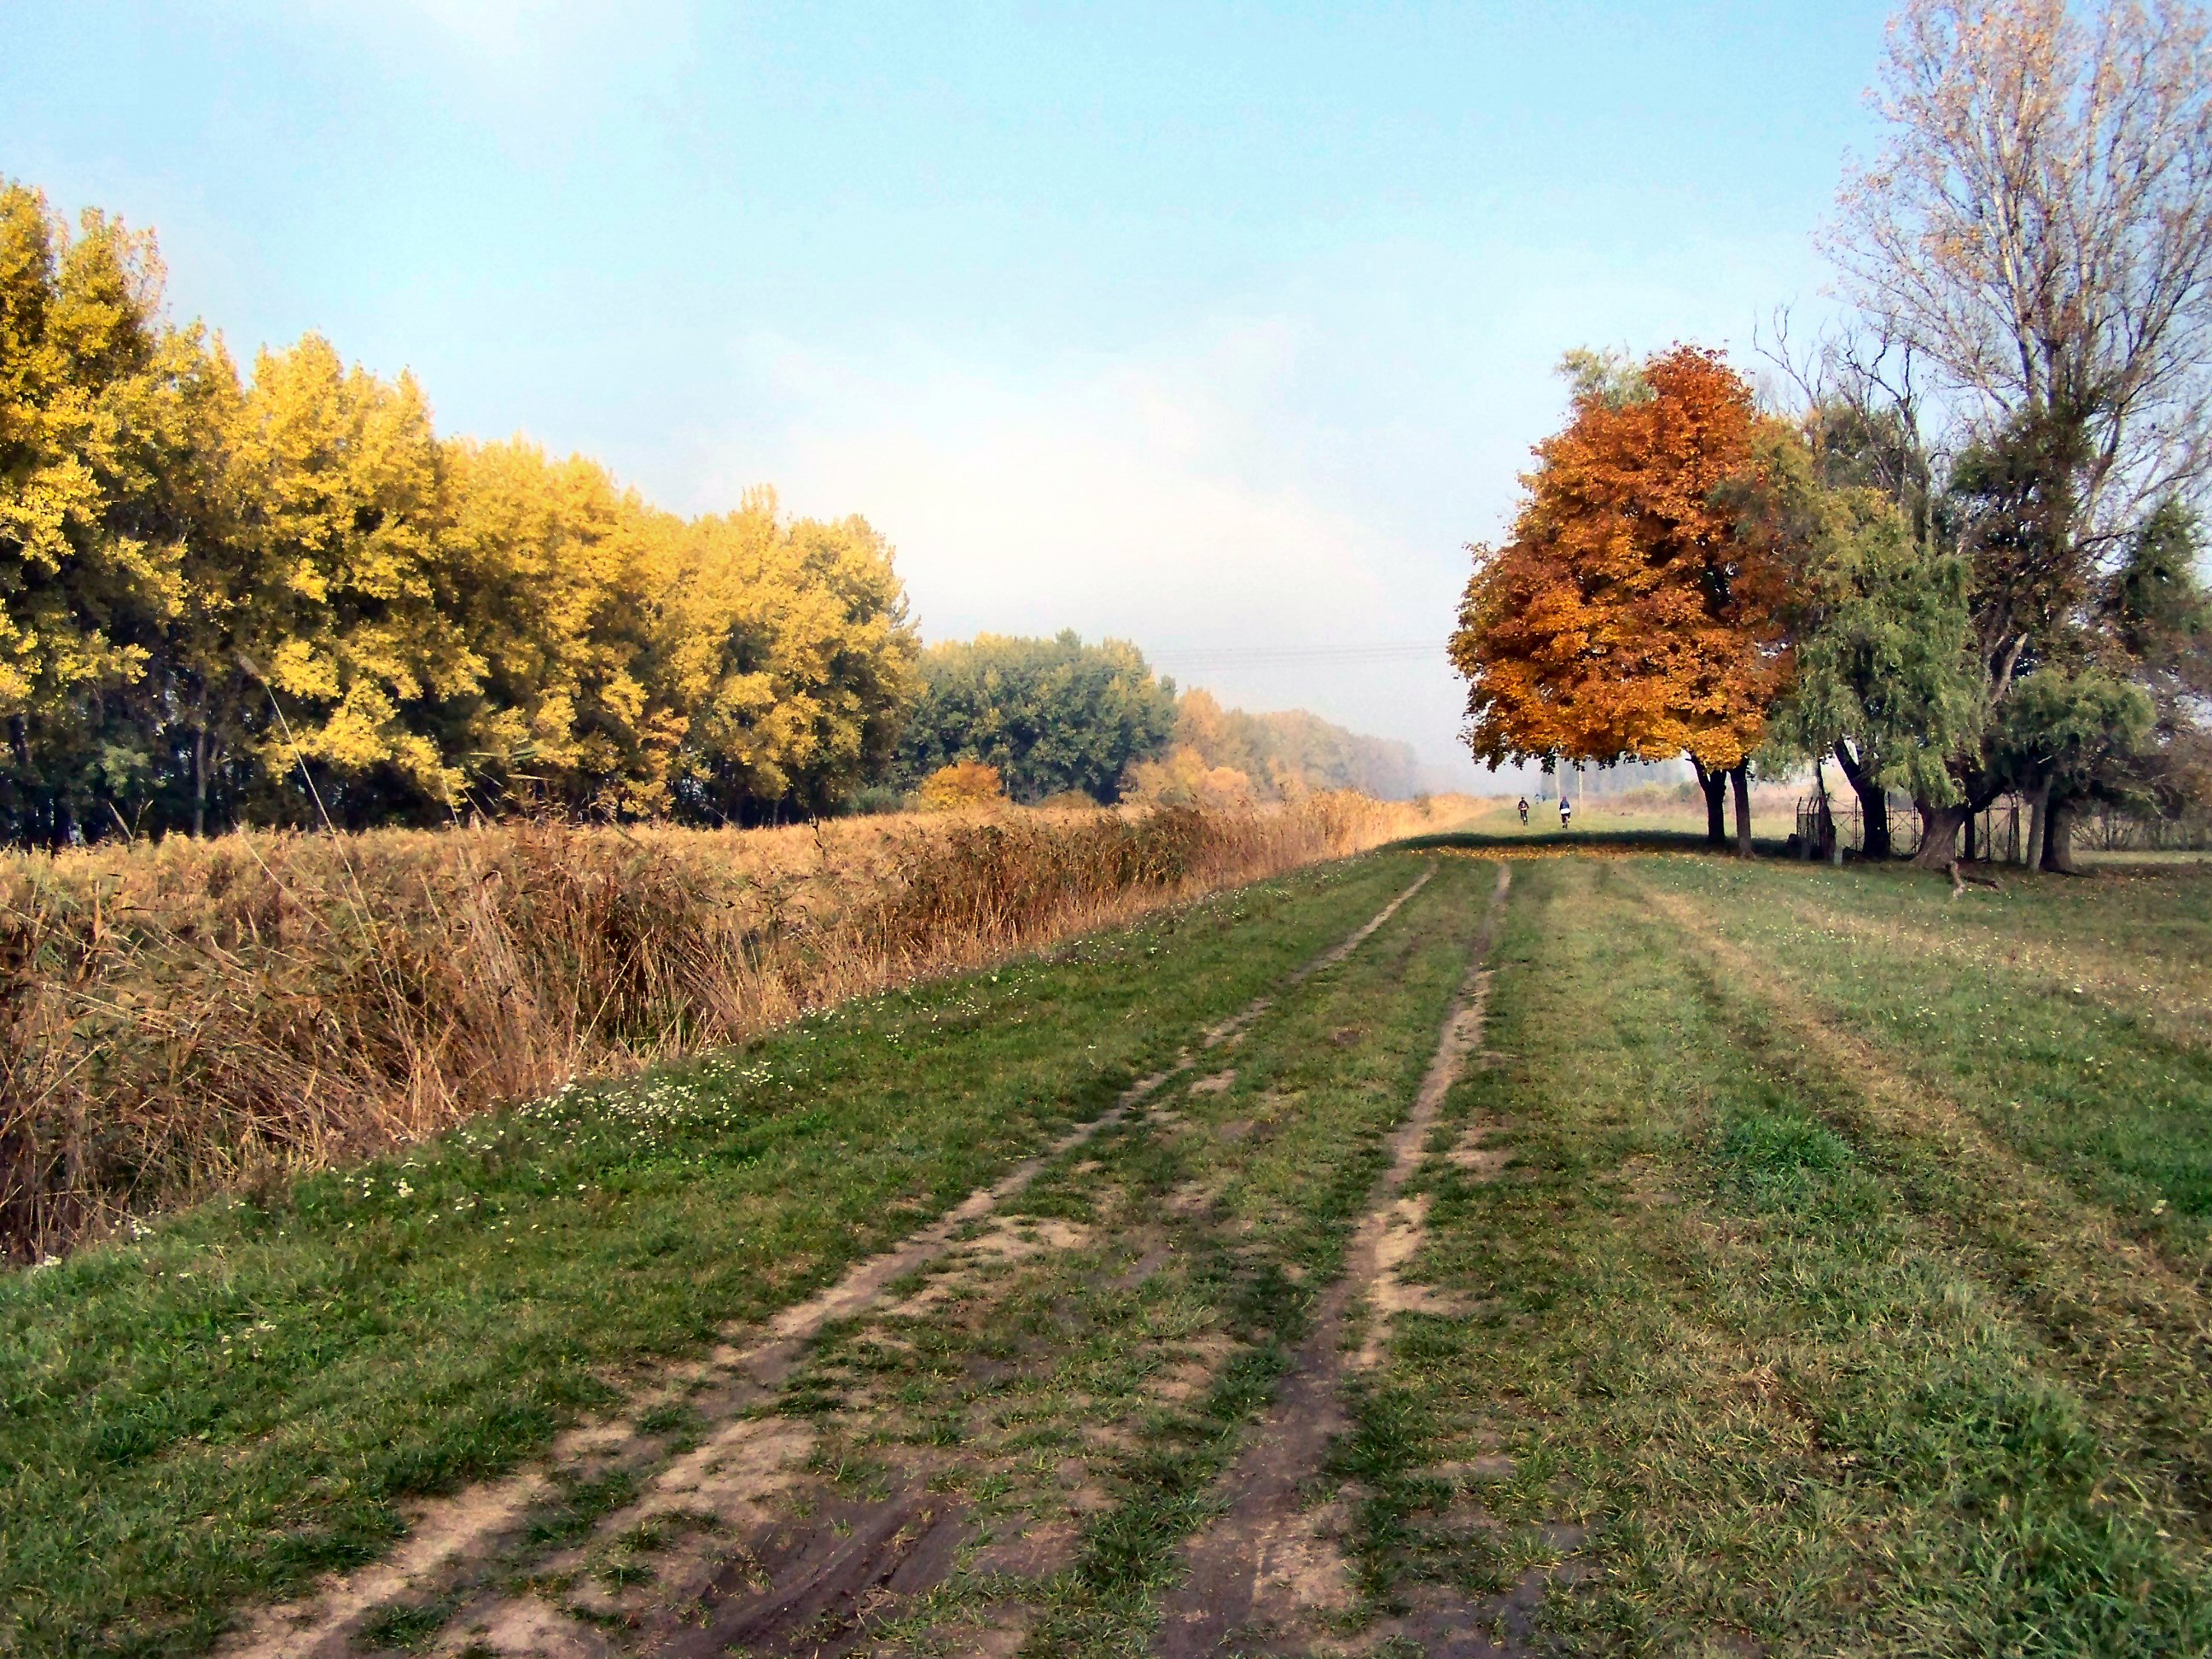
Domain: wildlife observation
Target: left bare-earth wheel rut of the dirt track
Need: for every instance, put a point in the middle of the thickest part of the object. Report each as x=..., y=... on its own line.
x=461, y=1541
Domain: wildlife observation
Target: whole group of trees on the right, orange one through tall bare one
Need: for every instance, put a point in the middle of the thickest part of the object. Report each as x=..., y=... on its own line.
x=1965, y=561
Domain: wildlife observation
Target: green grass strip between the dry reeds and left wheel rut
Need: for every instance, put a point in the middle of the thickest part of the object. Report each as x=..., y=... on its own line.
x=242, y=1399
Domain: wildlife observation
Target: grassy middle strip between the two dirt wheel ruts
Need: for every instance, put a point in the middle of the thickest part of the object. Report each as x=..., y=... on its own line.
x=1242, y=1202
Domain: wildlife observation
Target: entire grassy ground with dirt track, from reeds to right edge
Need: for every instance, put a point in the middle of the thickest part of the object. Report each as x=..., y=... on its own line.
x=1441, y=1251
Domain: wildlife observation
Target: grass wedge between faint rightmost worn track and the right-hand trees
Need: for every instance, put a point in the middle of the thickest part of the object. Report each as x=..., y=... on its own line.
x=2065, y=1065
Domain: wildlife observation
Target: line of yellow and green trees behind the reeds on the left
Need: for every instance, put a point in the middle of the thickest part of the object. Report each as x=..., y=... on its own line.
x=286, y=598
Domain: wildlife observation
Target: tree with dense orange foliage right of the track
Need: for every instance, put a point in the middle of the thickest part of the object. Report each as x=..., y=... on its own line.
x=1634, y=616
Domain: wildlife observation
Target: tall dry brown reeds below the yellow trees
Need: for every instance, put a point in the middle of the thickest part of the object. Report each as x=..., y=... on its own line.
x=185, y=1016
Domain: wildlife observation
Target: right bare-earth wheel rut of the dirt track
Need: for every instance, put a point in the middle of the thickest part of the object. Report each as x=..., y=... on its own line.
x=1273, y=1565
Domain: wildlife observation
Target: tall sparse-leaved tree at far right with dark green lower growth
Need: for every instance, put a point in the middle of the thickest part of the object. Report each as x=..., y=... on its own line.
x=2032, y=255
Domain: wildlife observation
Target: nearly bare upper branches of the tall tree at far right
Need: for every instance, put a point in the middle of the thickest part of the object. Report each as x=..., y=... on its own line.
x=2038, y=231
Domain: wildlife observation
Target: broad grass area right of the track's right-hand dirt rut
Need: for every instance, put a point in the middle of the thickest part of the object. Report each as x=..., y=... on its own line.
x=1813, y=1366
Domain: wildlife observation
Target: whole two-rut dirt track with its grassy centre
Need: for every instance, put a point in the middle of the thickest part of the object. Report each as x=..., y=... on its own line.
x=939, y=1452
